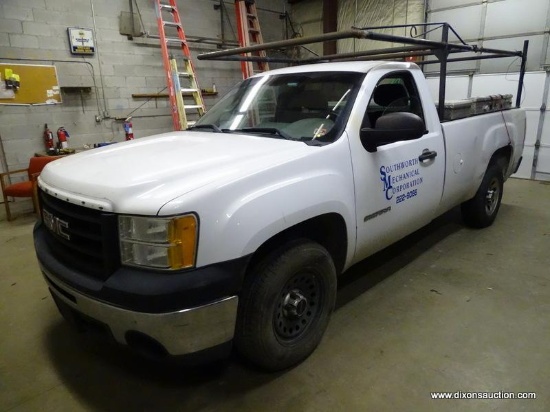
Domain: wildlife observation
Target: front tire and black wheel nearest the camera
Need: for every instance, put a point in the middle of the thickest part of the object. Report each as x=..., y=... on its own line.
x=285, y=305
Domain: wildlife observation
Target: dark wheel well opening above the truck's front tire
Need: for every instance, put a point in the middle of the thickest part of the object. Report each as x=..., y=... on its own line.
x=328, y=230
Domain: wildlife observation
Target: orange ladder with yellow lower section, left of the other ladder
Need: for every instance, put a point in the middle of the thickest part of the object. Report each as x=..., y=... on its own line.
x=177, y=93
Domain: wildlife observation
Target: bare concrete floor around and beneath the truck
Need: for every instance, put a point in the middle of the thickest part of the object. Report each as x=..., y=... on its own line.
x=447, y=309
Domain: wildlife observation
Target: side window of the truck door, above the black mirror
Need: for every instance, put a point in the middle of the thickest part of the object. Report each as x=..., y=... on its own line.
x=396, y=92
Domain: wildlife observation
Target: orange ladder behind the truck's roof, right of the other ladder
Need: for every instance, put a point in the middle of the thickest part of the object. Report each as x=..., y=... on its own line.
x=248, y=27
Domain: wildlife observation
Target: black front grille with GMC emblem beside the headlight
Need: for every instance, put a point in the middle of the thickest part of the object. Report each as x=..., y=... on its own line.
x=81, y=238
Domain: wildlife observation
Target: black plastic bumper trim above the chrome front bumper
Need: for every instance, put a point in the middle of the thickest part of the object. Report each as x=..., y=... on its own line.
x=147, y=291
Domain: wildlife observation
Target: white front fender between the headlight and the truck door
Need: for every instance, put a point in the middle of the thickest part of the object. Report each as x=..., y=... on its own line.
x=236, y=217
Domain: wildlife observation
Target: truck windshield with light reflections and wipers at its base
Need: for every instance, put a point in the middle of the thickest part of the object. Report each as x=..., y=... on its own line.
x=297, y=106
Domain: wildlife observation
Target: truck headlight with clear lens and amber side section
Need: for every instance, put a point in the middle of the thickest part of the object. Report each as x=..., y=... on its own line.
x=161, y=243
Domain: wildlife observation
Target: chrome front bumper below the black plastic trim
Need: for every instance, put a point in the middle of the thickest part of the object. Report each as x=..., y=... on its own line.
x=180, y=333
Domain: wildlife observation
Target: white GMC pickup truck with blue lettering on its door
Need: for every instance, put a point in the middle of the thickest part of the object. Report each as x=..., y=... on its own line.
x=234, y=232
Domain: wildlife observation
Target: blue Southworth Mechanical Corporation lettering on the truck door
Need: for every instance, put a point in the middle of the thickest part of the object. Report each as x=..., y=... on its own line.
x=400, y=178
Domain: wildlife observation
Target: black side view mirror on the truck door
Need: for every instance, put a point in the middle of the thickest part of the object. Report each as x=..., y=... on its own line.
x=392, y=127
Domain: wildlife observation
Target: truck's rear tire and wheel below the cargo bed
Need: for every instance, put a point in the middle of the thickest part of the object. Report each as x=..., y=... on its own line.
x=482, y=209
